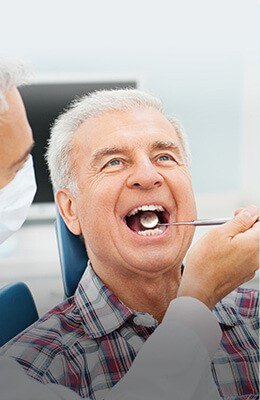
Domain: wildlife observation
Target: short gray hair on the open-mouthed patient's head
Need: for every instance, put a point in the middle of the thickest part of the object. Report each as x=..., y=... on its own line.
x=59, y=150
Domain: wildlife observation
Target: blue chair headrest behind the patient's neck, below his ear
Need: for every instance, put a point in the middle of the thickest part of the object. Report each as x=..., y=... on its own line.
x=73, y=256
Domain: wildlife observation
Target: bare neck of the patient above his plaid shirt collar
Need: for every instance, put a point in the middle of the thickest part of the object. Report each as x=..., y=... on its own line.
x=151, y=294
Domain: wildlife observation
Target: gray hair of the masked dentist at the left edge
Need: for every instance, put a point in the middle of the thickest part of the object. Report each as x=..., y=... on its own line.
x=12, y=73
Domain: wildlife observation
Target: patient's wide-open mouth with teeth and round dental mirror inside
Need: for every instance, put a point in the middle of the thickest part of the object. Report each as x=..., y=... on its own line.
x=144, y=220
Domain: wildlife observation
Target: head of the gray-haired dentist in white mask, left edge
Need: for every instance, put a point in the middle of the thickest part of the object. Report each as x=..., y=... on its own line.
x=17, y=180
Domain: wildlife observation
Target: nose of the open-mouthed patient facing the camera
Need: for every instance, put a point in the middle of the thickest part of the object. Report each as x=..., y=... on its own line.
x=144, y=176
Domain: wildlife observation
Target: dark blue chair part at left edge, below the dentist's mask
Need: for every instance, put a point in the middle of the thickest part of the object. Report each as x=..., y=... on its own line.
x=17, y=310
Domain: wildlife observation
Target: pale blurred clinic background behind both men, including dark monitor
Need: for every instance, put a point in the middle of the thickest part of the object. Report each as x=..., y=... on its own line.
x=201, y=58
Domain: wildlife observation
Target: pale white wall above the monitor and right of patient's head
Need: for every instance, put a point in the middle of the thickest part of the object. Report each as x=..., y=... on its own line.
x=199, y=57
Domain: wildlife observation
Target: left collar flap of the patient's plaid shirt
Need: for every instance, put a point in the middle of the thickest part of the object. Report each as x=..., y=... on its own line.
x=101, y=311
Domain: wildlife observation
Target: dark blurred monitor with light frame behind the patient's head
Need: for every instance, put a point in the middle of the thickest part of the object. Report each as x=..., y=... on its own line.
x=44, y=101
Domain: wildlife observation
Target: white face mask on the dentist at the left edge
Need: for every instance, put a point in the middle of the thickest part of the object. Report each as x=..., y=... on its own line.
x=15, y=200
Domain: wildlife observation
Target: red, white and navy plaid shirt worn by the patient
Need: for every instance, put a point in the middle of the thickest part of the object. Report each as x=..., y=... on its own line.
x=89, y=342
